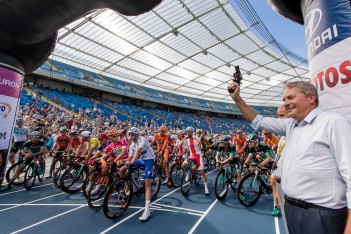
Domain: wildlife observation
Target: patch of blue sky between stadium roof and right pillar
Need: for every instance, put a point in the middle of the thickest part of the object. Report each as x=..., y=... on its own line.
x=287, y=32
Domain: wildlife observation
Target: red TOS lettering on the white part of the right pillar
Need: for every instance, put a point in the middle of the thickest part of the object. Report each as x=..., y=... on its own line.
x=332, y=76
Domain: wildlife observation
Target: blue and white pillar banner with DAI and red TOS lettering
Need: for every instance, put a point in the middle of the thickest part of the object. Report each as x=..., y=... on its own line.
x=328, y=40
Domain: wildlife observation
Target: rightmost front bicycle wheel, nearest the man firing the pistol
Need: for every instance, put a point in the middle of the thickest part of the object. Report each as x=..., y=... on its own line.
x=249, y=190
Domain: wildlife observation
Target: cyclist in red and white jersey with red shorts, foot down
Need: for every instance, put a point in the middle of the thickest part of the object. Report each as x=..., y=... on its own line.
x=193, y=146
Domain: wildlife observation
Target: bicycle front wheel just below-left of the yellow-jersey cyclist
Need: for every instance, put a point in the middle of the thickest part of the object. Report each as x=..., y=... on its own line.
x=72, y=179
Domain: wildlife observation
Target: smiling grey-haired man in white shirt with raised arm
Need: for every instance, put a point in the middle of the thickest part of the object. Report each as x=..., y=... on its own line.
x=316, y=166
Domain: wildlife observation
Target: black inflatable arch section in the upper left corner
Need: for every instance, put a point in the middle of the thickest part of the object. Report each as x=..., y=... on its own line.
x=28, y=28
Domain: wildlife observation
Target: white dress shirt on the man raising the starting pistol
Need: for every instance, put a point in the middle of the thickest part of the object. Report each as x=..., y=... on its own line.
x=316, y=165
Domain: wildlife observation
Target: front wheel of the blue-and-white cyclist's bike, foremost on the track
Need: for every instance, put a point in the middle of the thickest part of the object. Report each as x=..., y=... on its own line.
x=117, y=199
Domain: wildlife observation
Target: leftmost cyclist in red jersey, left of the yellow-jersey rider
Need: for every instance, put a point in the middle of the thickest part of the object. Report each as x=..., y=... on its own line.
x=62, y=142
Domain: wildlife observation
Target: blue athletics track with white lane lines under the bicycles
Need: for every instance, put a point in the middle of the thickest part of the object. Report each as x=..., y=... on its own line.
x=45, y=209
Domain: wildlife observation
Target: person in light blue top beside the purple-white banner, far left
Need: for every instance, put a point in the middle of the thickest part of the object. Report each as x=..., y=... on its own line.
x=20, y=135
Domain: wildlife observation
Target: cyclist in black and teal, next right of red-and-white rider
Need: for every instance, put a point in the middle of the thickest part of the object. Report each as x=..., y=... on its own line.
x=228, y=150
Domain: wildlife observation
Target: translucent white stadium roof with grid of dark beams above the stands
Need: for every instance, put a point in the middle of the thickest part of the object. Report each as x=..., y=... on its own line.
x=183, y=47
